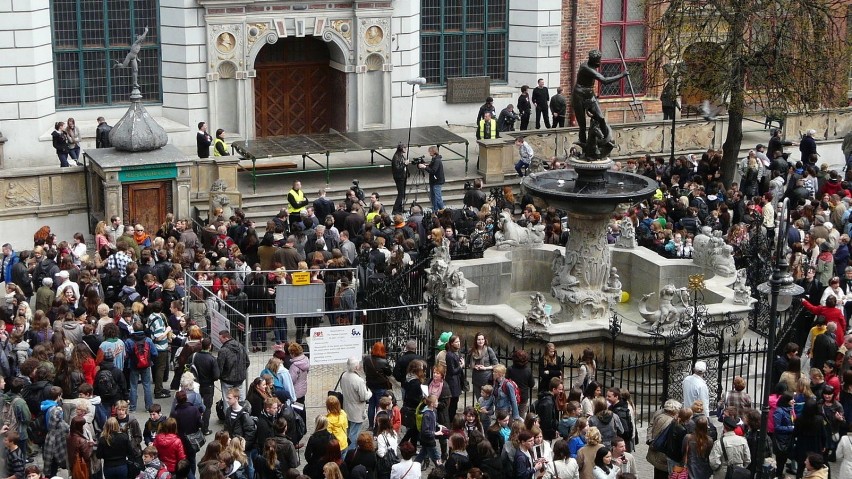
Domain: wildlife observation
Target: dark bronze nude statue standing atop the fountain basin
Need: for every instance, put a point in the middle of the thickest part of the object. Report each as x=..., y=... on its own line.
x=596, y=140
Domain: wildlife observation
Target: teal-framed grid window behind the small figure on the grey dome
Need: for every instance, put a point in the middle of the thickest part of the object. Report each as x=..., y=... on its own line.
x=89, y=37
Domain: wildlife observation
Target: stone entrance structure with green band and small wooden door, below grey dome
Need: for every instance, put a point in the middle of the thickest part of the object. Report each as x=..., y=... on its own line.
x=112, y=173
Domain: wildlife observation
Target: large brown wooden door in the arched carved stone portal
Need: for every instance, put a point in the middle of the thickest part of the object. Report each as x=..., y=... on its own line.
x=296, y=91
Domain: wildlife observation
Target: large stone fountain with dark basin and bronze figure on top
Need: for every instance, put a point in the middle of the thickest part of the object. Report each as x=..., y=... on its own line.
x=508, y=287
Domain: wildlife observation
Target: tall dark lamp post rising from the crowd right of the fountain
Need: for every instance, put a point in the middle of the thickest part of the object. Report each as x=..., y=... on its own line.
x=781, y=289
